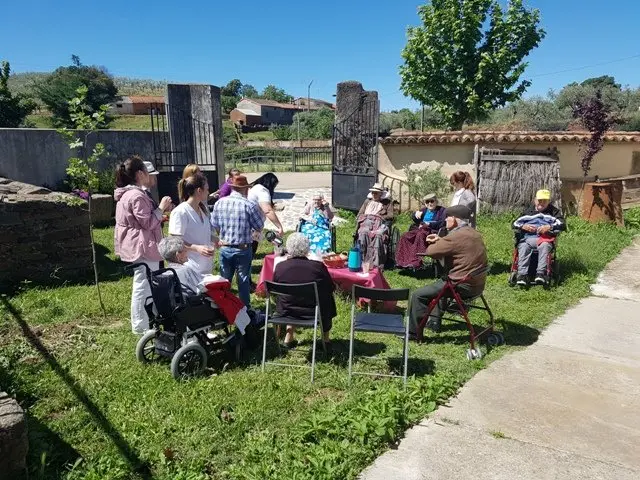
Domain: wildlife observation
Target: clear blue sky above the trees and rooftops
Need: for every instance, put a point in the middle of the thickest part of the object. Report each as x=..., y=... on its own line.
x=289, y=43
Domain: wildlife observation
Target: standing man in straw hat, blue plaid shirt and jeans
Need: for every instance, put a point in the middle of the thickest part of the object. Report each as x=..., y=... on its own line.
x=234, y=218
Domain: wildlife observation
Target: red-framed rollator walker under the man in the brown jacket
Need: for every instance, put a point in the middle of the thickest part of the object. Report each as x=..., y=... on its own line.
x=453, y=303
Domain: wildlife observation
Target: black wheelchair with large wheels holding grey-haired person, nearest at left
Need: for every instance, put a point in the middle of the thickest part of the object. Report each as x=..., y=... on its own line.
x=180, y=326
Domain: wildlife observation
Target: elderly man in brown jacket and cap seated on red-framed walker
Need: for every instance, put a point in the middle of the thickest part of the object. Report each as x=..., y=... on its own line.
x=463, y=252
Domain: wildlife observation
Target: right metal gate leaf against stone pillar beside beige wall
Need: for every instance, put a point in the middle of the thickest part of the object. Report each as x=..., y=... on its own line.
x=355, y=155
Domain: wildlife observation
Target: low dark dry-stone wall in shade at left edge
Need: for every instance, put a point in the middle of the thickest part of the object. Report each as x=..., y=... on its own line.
x=43, y=238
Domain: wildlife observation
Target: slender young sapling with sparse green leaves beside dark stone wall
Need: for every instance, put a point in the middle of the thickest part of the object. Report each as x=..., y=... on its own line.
x=83, y=169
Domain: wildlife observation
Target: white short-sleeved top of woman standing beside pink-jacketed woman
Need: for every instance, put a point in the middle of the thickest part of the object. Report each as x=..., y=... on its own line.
x=193, y=229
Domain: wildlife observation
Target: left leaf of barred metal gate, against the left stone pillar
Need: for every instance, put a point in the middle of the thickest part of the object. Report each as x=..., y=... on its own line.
x=179, y=139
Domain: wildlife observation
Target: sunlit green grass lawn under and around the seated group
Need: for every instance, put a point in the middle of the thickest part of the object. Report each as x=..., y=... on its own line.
x=96, y=413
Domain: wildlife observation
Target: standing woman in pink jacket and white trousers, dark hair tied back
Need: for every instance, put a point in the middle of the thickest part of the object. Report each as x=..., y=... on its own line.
x=138, y=229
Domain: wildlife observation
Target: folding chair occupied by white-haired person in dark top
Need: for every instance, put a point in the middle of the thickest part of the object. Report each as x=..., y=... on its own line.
x=308, y=291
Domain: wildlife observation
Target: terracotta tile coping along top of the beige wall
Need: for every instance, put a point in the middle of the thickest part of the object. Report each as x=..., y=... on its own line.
x=406, y=138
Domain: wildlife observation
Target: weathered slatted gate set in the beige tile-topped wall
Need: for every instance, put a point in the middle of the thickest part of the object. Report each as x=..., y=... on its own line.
x=507, y=180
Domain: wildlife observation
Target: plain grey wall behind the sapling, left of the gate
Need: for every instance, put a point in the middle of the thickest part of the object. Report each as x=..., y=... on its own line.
x=40, y=156
